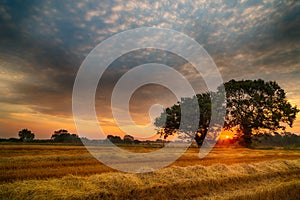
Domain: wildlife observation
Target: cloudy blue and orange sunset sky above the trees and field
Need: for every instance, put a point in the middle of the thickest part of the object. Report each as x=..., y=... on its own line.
x=43, y=44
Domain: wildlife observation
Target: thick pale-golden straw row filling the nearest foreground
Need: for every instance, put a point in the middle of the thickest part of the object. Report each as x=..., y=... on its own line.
x=264, y=180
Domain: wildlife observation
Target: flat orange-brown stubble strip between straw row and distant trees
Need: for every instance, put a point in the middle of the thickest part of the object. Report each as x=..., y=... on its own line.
x=23, y=162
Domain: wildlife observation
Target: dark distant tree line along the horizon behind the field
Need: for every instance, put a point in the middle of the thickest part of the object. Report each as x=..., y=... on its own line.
x=285, y=139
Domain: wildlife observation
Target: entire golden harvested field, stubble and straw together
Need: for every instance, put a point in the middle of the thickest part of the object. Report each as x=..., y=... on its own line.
x=70, y=172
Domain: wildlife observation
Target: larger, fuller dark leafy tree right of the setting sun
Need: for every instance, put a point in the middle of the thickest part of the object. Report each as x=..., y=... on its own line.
x=256, y=104
